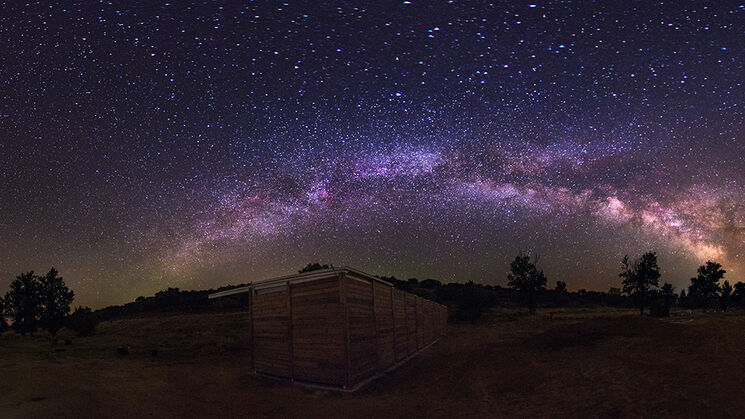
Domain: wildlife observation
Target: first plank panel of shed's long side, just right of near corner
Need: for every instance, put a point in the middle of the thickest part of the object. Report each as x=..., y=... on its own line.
x=362, y=342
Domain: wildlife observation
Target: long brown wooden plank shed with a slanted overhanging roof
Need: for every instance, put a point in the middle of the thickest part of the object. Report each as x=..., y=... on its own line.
x=336, y=327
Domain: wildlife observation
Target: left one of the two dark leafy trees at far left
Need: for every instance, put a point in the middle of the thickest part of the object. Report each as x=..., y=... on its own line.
x=23, y=303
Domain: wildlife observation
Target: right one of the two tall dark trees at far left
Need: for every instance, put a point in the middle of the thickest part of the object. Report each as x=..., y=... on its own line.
x=55, y=301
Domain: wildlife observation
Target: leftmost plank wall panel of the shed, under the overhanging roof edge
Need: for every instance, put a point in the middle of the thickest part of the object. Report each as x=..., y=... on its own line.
x=271, y=349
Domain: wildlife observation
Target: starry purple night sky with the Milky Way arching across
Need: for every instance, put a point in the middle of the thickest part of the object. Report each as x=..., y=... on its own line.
x=146, y=147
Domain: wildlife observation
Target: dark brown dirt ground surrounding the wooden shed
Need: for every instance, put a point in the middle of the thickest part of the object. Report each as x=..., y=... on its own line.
x=589, y=363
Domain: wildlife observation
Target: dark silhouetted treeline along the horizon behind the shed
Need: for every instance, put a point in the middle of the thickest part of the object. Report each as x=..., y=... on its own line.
x=639, y=287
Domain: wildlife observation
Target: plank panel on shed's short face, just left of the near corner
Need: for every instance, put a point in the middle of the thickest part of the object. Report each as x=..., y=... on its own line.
x=318, y=338
